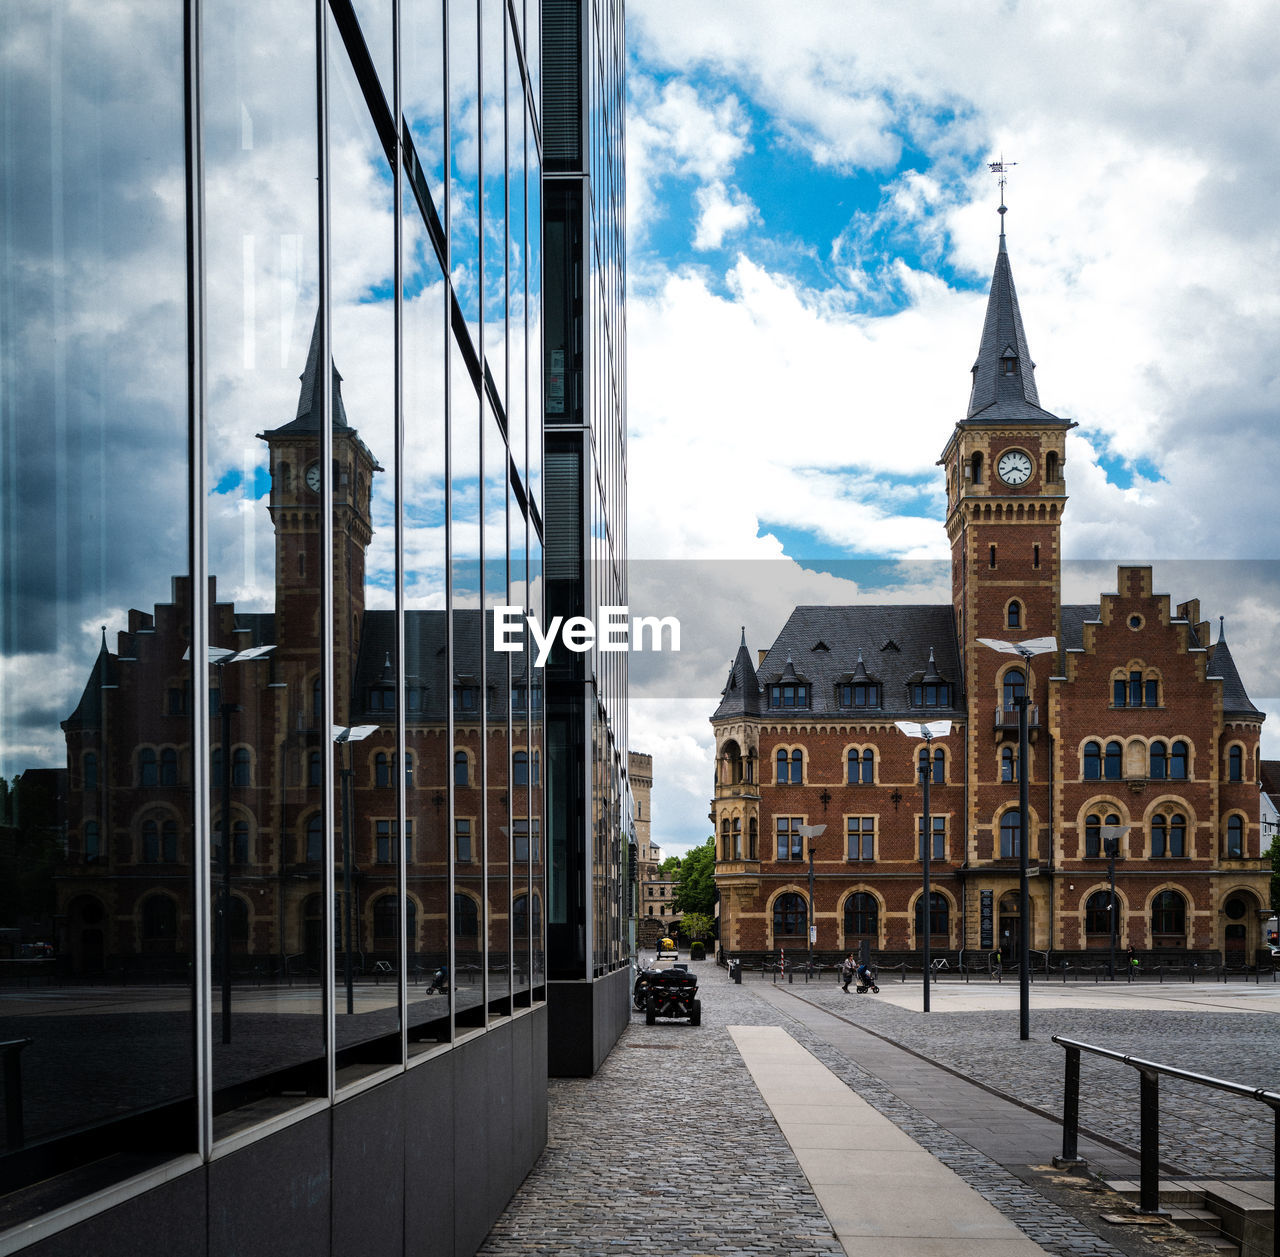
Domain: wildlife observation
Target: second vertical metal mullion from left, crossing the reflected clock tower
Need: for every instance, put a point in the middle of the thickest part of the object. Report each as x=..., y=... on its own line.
x=324, y=408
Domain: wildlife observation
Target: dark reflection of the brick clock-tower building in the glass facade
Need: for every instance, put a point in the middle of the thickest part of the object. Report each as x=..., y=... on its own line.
x=124, y=897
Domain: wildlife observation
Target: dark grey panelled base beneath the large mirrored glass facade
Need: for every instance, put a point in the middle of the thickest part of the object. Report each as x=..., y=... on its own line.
x=422, y=1164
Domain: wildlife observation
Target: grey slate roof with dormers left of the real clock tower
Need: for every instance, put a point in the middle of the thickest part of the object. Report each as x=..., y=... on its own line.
x=894, y=641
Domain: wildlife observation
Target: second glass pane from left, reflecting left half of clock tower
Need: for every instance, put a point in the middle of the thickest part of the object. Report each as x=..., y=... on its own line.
x=266, y=550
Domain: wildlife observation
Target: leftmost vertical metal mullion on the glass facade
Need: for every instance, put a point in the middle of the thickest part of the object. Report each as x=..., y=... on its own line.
x=199, y=568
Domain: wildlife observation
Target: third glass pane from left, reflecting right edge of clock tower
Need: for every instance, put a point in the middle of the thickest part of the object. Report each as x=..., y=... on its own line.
x=369, y=843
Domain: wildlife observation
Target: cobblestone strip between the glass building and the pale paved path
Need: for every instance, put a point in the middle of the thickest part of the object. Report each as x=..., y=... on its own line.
x=668, y=1150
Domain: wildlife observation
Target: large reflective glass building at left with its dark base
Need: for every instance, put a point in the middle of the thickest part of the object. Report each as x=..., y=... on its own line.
x=273, y=831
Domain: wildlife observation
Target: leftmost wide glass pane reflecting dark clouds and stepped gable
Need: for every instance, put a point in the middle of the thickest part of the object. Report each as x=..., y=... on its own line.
x=94, y=473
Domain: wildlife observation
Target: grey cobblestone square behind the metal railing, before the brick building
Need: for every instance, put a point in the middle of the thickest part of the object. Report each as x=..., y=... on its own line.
x=1204, y=1133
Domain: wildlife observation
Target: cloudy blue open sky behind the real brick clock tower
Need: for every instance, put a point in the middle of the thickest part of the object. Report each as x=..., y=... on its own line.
x=812, y=228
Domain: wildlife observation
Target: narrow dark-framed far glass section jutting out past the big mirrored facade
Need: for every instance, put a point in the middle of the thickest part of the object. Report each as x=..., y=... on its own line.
x=589, y=849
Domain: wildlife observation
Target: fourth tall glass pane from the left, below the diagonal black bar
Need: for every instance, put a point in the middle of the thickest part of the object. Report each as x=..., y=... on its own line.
x=427, y=675
